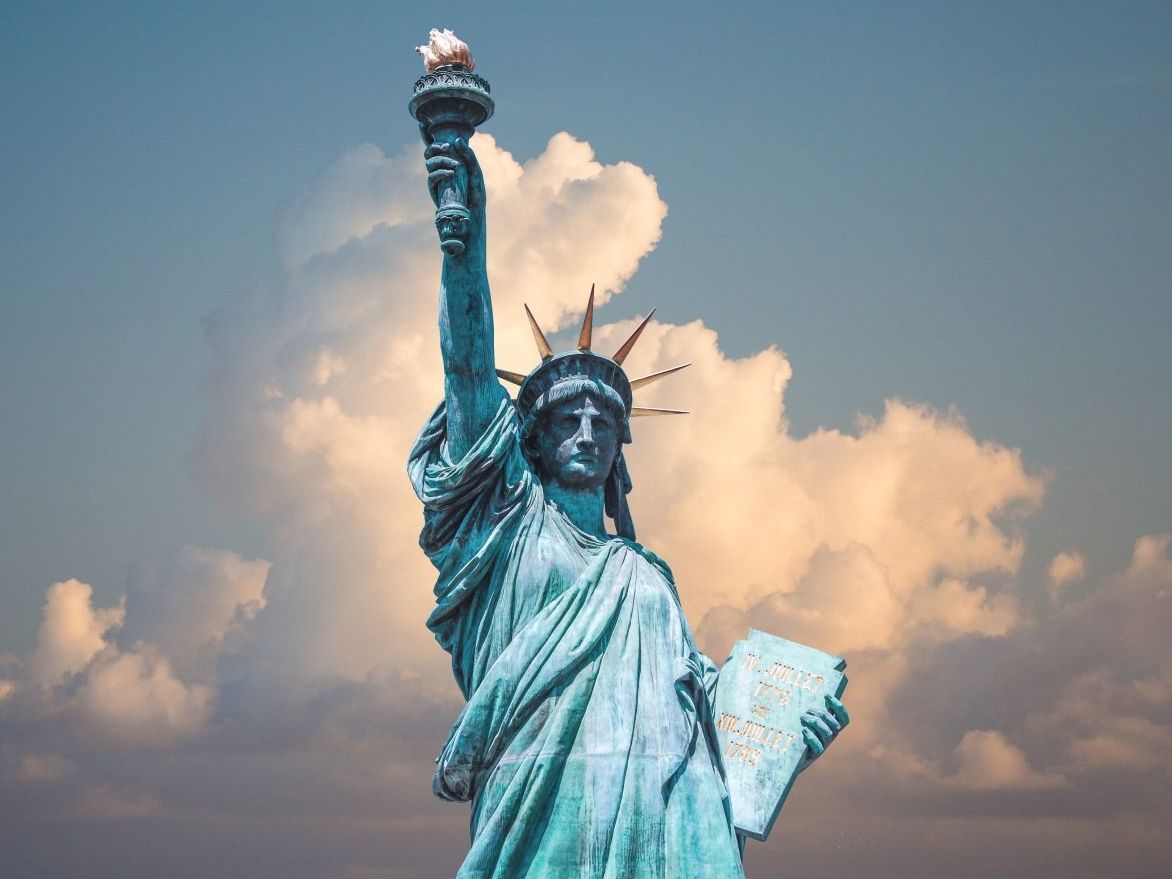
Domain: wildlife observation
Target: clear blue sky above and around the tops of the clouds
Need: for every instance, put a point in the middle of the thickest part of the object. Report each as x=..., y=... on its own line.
x=944, y=203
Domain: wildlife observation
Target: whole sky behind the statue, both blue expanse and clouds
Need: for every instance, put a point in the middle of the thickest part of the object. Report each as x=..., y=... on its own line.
x=917, y=253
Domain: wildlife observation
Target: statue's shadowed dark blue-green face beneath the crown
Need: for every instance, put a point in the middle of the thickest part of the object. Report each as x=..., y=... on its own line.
x=578, y=444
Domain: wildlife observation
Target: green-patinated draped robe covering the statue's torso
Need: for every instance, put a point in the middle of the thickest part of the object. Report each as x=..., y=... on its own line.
x=588, y=746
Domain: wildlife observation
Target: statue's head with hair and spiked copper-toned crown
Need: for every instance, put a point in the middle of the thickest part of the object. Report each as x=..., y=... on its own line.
x=576, y=411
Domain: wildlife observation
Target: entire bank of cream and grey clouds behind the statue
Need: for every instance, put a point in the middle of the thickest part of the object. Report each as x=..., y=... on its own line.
x=264, y=704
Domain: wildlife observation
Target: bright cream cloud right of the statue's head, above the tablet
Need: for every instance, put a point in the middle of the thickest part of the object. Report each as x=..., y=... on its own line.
x=742, y=508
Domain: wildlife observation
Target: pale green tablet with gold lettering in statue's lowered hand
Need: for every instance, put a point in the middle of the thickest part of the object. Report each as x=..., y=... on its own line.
x=764, y=689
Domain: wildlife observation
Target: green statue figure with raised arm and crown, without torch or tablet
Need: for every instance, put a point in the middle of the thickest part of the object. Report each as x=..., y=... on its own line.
x=588, y=746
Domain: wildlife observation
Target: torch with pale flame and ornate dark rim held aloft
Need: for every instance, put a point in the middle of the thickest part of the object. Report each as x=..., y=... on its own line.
x=449, y=103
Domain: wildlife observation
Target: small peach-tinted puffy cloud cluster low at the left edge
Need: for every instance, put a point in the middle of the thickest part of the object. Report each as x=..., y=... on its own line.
x=83, y=684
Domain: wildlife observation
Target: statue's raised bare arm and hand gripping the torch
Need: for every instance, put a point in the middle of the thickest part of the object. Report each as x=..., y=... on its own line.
x=472, y=391
